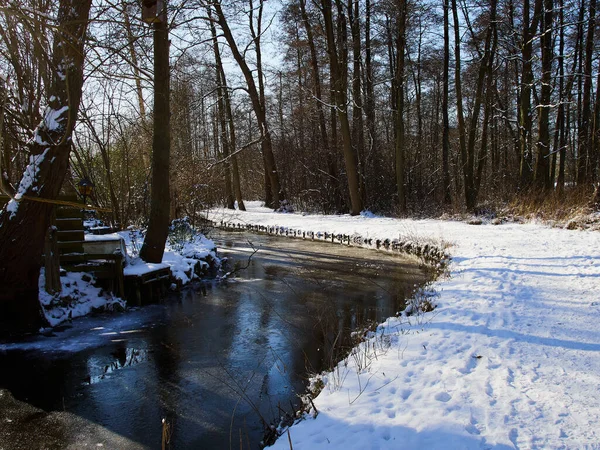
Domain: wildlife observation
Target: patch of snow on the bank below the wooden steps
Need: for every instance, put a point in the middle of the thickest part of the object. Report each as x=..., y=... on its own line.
x=79, y=297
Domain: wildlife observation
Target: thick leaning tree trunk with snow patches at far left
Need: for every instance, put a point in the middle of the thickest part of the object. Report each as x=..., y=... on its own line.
x=23, y=224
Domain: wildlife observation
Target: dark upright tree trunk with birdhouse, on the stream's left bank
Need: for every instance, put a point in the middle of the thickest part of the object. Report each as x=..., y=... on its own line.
x=158, y=227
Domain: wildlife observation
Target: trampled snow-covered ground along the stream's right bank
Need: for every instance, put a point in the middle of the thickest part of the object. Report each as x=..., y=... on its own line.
x=510, y=358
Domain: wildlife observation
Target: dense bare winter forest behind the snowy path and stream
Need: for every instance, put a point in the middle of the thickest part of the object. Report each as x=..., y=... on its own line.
x=403, y=107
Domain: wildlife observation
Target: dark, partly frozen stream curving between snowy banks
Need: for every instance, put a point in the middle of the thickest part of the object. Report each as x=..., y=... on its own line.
x=212, y=360
